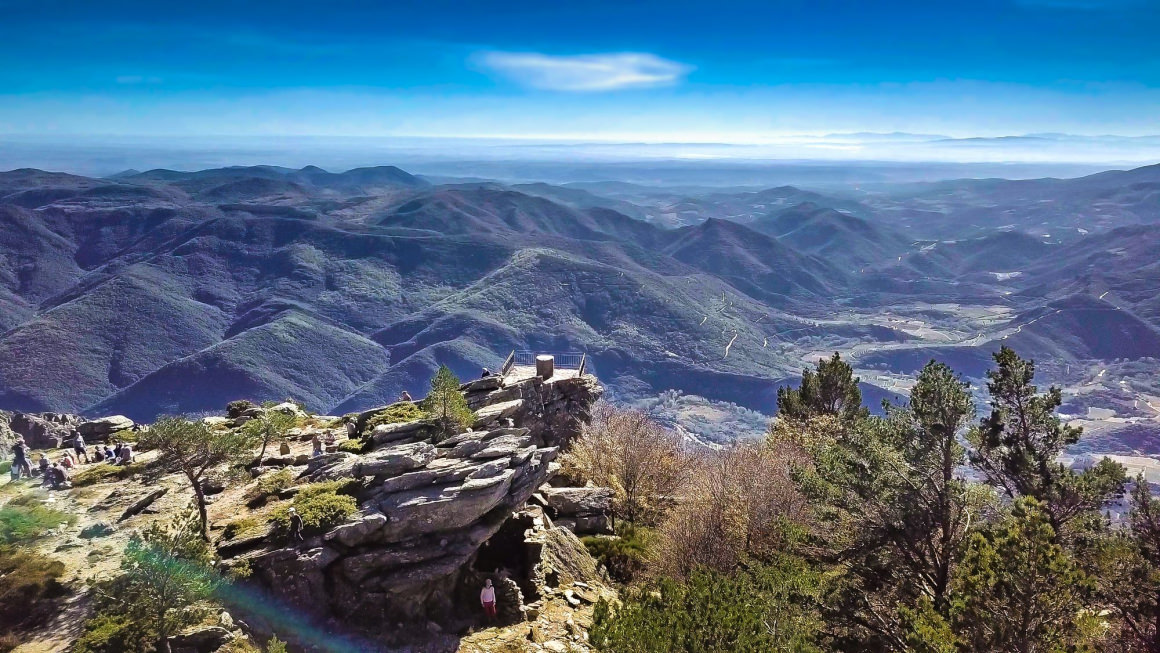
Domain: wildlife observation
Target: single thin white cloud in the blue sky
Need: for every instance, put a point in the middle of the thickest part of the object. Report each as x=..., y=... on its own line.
x=585, y=72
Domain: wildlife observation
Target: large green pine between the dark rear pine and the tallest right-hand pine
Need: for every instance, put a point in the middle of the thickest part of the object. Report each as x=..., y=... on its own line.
x=898, y=516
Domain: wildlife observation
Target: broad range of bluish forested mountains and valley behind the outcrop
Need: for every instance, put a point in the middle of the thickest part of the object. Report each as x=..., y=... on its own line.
x=171, y=292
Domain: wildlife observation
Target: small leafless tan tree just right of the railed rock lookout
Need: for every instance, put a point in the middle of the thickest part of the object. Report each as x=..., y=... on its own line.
x=644, y=463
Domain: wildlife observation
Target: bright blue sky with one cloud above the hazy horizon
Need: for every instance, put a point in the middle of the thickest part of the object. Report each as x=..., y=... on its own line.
x=738, y=72
